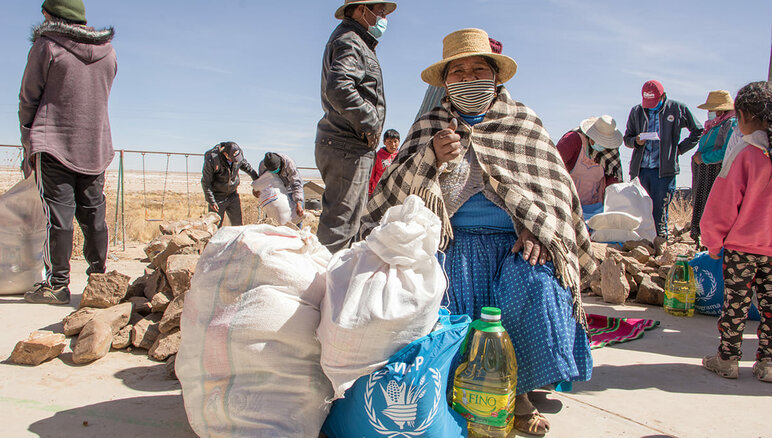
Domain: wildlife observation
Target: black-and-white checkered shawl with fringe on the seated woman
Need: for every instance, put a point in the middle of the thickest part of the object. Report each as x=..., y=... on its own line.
x=520, y=163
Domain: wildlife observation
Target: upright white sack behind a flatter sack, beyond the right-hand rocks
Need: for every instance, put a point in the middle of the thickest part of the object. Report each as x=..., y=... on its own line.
x=633, y=199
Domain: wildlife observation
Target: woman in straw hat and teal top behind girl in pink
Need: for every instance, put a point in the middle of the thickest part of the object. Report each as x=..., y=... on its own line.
x=706, y=162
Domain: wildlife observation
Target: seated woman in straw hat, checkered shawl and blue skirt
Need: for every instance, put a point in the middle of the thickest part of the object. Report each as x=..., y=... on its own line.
x=512, y=225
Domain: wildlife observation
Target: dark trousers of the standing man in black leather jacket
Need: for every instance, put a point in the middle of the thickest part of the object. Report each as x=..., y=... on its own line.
x=346, y=175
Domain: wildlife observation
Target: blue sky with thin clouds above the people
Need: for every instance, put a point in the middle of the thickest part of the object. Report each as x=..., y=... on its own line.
x=194, y=73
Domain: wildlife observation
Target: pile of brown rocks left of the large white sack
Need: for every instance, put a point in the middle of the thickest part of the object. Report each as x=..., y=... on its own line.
x=144, y=314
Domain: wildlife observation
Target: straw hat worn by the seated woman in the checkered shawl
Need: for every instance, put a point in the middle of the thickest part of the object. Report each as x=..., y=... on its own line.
x=462, y=44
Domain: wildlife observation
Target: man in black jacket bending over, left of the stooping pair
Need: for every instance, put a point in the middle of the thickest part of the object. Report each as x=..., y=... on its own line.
x=220, y=180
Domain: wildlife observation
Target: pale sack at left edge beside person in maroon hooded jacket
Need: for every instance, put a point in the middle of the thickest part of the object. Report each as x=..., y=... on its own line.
x=21, y=237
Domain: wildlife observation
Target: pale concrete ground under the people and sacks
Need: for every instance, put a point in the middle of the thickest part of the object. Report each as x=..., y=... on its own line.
x=650, y=387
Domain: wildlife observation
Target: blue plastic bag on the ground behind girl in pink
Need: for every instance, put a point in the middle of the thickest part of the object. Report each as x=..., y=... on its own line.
x=709, y=274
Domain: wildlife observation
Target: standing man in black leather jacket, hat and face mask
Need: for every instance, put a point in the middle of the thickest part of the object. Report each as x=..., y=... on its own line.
x=354, y=113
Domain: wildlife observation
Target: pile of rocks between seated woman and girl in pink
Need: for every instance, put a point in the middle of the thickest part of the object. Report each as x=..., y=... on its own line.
x=635, y=270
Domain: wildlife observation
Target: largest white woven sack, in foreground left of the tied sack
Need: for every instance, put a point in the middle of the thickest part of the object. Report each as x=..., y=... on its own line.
x=248, y=361
